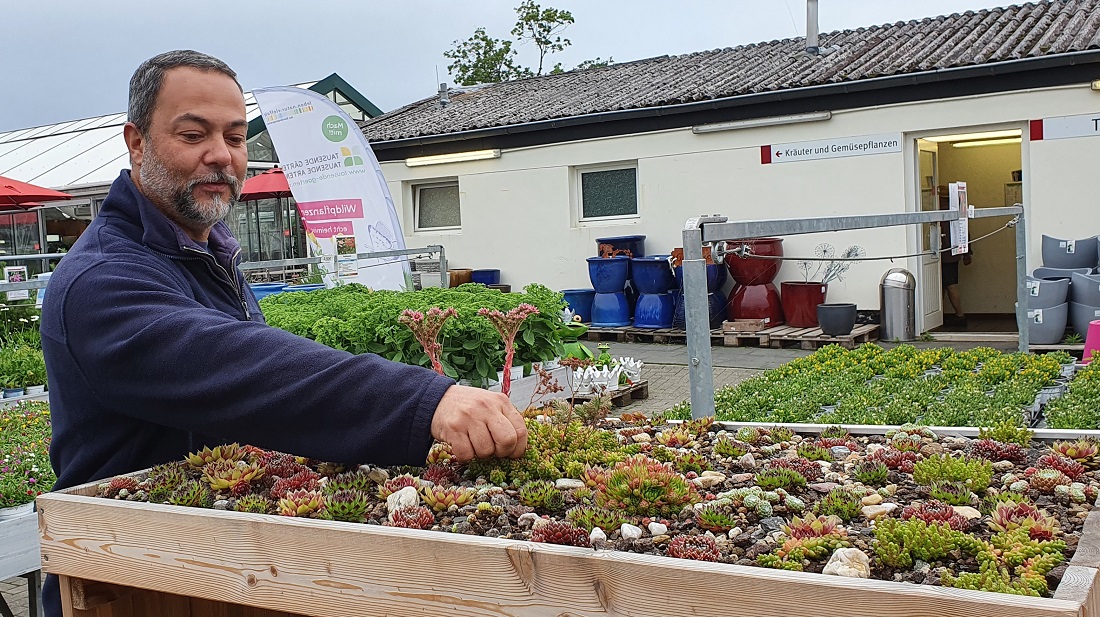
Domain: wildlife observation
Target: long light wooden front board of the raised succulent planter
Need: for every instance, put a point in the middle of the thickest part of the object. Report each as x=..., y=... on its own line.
x=334, y=569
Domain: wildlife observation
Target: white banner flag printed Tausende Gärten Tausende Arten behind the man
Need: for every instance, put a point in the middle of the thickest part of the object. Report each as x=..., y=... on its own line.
x=343, y=197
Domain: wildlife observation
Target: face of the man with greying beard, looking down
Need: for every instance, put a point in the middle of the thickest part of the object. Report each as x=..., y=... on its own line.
x=194, y=159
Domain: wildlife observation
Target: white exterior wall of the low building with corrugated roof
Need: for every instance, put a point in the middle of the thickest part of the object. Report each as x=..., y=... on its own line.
x=518, y=211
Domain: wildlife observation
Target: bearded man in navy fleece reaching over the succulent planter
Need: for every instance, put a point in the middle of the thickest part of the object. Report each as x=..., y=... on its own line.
x=156, y=346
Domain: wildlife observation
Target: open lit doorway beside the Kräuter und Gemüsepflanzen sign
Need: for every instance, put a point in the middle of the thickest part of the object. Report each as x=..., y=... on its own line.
x=974, y=293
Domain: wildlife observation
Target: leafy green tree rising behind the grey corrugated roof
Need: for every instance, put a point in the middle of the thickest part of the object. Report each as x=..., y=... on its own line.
x=485, y=60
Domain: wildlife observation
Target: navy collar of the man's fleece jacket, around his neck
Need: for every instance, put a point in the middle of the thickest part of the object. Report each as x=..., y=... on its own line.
x=159, y=232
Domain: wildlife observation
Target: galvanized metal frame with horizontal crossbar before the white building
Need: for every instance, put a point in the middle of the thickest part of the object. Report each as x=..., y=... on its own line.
x=711, y=229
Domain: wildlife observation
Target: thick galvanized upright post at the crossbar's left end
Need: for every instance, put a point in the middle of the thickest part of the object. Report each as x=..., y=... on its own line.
x=697, y=311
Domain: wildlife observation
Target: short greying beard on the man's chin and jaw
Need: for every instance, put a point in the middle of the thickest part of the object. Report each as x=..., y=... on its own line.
x=167, y=189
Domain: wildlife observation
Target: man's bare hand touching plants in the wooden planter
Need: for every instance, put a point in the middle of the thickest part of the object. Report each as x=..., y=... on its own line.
x=479, y=424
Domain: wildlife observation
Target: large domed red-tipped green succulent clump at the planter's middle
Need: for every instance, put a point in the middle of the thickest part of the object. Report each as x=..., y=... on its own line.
x=641, y=487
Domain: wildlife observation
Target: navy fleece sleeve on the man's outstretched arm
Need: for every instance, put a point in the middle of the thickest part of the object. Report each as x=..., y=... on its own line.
x=150, y=351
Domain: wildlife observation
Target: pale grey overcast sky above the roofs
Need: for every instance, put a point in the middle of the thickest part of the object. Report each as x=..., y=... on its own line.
x=65, y=60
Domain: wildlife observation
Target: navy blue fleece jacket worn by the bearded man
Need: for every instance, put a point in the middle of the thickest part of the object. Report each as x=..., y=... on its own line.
x=156, y=348
